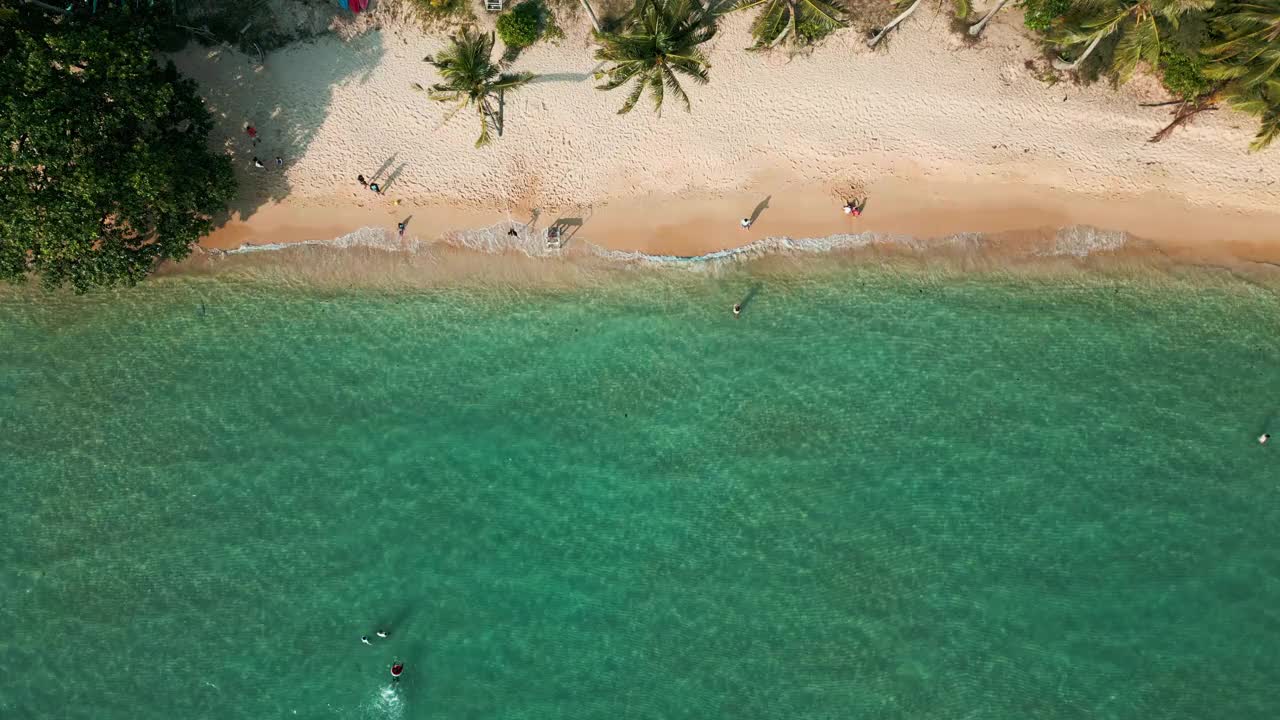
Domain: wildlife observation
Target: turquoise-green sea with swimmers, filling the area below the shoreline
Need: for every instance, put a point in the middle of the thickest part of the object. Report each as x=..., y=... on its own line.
x=876, y=495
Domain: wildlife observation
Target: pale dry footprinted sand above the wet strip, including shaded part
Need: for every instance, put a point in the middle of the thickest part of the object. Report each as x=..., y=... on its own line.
x=926, y=108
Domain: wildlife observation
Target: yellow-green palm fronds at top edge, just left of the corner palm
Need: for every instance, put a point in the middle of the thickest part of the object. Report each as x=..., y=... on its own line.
x=1140, y=25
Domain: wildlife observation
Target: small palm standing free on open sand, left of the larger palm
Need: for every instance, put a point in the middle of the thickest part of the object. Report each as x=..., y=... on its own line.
x=473, y=79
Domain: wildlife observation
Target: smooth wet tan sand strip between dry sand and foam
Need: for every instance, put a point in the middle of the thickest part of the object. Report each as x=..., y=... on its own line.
x=692, y=226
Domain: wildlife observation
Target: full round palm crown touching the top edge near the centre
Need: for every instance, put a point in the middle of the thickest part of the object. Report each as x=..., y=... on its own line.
x=659, y=44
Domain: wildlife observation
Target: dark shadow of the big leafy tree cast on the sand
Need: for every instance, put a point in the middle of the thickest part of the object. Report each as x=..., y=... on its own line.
x=286, y=101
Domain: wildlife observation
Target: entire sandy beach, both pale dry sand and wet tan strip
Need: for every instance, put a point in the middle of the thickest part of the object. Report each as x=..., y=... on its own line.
x=943, y=138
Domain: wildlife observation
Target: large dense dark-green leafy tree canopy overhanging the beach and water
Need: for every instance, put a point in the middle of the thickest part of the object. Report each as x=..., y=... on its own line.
x=104, y=166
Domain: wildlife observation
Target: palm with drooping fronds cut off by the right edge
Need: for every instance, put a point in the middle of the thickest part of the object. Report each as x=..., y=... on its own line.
x=1249, y=63
